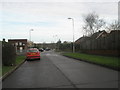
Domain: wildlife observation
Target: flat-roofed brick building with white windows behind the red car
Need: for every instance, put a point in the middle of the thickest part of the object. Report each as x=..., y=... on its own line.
x=20, y=44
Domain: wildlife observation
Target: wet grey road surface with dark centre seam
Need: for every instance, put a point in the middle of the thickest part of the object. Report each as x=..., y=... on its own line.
x=56, y=71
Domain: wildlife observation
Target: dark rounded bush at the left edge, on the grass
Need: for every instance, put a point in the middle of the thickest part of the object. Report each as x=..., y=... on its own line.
x=8, y=54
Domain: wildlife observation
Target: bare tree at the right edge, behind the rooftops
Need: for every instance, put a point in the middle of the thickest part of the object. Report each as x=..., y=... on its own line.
x=115, y=25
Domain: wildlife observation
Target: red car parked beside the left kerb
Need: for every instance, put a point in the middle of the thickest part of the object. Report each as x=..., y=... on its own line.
x=33, y=53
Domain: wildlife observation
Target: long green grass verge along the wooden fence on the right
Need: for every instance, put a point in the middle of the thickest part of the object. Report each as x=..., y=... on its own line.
x=103, y=60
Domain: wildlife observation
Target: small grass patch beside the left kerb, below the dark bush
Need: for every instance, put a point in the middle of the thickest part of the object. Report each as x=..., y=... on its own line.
x=19, y=59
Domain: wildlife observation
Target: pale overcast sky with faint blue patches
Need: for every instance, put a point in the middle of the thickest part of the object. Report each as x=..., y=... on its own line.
x=48, y=18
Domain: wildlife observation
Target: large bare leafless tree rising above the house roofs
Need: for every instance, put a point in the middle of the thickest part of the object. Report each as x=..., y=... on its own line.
x=92, y=23
